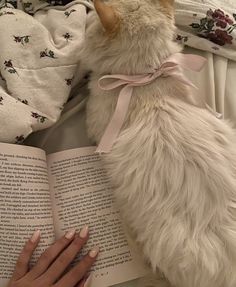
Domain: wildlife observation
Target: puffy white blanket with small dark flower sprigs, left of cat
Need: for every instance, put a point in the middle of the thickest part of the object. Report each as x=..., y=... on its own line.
x=38, y=59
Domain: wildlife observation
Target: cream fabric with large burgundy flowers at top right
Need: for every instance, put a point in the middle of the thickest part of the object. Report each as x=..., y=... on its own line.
x=208, y=25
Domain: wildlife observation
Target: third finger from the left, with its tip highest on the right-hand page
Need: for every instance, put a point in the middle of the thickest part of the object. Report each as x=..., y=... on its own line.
x=65, y=258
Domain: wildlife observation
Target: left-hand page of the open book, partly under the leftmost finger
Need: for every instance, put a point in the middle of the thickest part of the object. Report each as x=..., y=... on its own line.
x=25, y=204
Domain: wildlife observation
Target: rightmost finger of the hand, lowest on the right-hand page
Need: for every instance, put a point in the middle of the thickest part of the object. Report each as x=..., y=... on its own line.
x=79, y=271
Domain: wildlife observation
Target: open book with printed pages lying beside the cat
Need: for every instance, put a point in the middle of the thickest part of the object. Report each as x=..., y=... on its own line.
x=55, y=193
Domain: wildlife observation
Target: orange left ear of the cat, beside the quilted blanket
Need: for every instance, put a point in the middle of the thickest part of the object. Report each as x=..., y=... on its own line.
x=107, y=15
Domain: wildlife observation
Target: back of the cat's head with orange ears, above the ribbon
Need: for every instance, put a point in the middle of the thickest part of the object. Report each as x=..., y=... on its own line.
x=124, y=32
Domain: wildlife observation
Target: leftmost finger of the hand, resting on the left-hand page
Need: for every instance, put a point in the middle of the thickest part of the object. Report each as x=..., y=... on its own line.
x=22, y=264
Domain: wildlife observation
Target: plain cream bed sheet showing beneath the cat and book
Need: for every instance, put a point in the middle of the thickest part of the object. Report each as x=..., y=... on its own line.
x=216, y=84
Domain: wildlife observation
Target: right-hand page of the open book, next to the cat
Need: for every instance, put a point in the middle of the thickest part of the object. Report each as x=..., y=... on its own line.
x=82, y=196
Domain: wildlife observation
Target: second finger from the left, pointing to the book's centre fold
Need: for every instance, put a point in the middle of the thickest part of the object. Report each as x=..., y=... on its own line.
x=51, y=254
